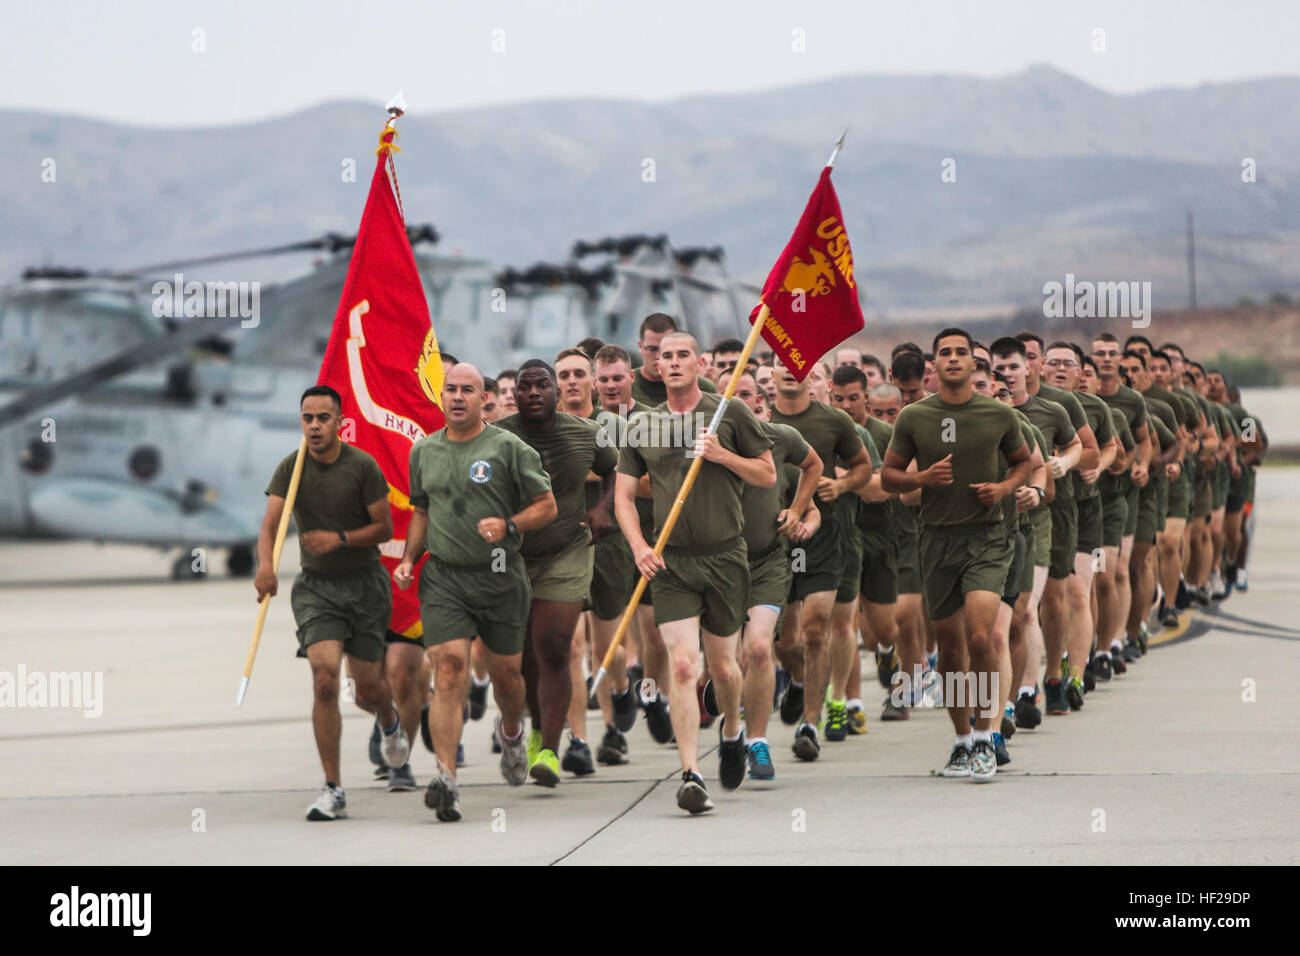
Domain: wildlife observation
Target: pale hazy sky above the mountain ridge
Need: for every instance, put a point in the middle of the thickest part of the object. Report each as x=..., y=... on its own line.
x=136, y=60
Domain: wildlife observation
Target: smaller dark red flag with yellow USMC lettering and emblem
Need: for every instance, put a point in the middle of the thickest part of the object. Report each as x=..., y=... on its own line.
x=811, y=295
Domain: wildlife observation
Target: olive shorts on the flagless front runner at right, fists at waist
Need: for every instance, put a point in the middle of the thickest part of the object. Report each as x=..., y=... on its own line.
x=956, y=560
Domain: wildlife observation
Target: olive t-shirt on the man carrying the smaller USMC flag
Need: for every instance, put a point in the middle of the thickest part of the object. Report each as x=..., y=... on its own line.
x=661, y=443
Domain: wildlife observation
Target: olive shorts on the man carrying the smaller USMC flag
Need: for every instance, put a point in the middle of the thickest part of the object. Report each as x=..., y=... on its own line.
x=712, y=586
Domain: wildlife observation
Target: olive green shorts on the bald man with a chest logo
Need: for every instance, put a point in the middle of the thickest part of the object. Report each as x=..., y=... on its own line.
x=458, y=603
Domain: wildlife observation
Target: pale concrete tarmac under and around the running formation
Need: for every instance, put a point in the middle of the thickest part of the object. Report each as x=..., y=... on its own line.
x=1193, y=758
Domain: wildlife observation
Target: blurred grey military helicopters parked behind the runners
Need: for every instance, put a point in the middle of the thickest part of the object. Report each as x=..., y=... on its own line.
x=129, y=423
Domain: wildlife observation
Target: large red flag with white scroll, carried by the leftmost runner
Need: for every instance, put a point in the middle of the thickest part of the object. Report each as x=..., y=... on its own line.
x=383, y=358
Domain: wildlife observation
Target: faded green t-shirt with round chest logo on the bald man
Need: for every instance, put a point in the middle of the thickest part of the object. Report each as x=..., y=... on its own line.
x=460, y=483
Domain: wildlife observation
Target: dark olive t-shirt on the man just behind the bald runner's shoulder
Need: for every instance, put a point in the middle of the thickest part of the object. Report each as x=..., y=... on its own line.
x=570, y=449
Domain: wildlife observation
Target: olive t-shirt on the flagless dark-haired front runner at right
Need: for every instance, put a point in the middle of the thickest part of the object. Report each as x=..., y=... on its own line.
x=973, y=434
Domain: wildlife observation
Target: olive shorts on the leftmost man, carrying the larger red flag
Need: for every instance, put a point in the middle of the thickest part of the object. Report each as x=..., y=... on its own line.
x=354, y=609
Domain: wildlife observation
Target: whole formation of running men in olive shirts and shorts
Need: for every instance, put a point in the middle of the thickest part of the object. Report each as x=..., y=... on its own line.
x=994, y=524
